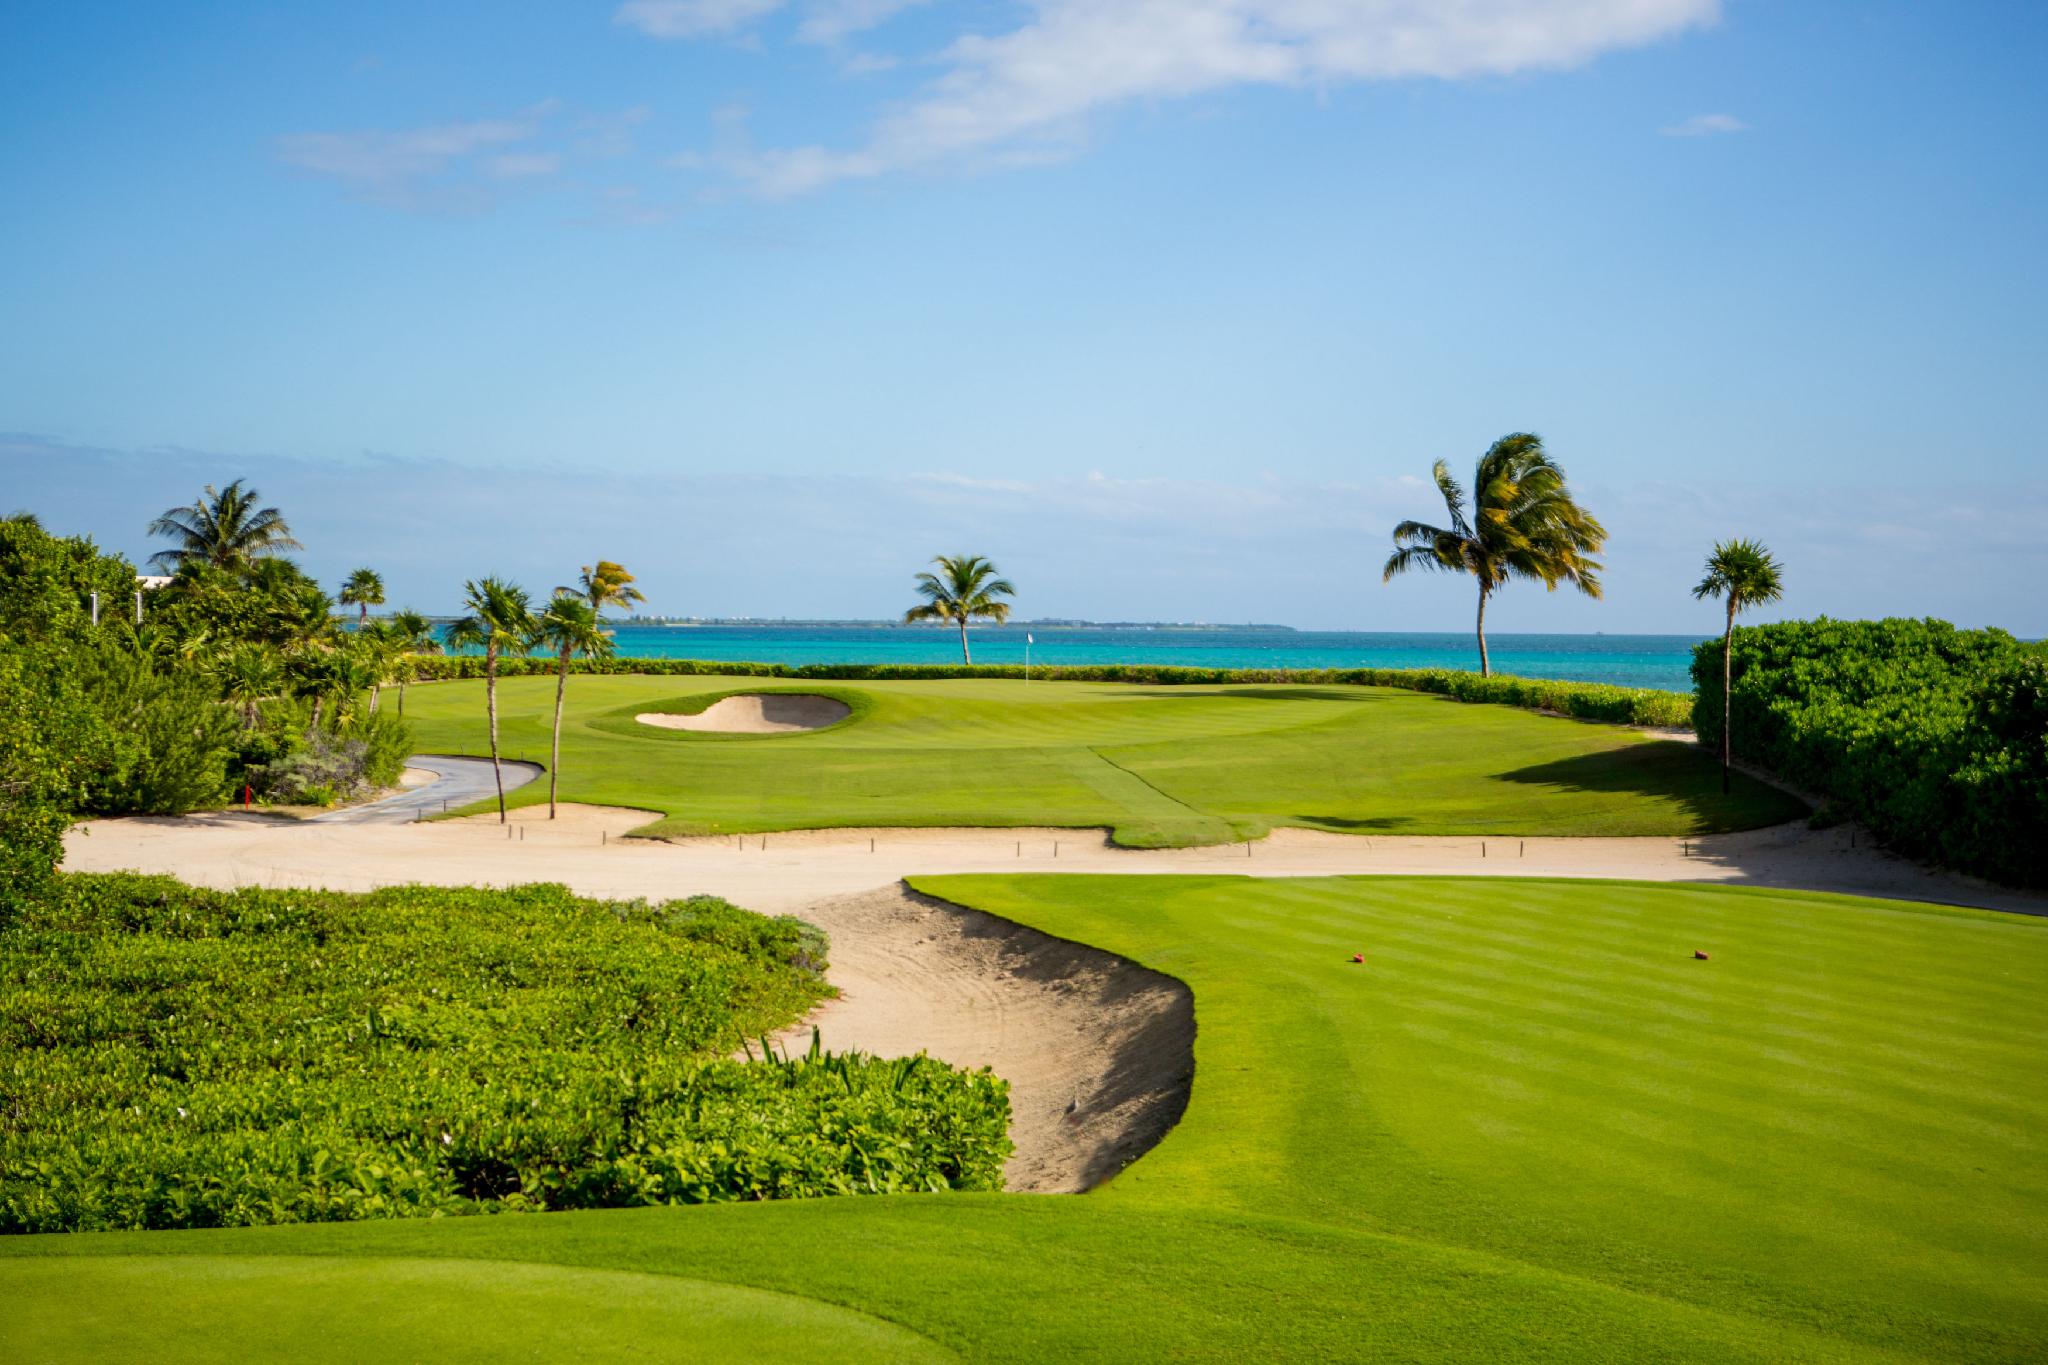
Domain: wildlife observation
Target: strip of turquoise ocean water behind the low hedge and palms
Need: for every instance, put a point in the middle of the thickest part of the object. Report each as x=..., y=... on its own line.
x=1625, y=660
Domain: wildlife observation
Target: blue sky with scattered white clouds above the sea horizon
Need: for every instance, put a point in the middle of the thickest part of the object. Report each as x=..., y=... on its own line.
x=1164, y=306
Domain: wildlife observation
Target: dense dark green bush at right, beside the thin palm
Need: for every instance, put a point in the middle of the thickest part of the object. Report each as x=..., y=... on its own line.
x=1934, y=738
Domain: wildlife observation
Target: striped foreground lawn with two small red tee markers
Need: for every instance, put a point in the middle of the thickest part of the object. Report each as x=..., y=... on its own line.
x=1529, y=1127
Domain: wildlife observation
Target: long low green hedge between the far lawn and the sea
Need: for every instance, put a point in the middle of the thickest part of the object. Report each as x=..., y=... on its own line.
x=1568, y=699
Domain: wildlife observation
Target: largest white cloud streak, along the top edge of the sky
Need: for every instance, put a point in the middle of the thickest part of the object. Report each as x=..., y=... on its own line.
x=1029, y=93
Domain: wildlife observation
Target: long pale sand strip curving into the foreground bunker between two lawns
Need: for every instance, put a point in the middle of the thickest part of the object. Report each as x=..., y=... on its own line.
x=1099, y=1051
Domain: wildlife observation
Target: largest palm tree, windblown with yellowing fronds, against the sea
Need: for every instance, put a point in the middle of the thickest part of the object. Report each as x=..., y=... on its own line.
x=1523, y=525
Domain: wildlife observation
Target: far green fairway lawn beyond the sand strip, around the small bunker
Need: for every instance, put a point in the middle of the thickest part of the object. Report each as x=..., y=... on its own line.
x=1158, y=766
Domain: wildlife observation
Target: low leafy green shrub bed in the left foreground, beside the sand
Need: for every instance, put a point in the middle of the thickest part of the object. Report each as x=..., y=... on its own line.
x=177, y=1059
